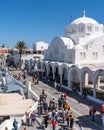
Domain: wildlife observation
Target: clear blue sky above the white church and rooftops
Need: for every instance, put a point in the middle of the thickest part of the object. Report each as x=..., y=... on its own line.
x=41, y=20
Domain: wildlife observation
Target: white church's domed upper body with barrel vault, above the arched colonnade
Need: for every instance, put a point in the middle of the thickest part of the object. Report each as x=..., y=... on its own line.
x=83, y=43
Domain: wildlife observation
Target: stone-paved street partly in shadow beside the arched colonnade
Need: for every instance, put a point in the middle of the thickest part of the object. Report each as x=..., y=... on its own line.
x=79, y=106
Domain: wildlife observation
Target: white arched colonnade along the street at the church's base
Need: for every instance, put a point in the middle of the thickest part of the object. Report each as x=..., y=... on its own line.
x=72, y=77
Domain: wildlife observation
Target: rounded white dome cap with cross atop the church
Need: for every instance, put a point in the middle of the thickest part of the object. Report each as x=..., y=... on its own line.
x=84, y=20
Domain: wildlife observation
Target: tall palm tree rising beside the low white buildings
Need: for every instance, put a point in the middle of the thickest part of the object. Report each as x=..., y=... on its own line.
x=21, y=46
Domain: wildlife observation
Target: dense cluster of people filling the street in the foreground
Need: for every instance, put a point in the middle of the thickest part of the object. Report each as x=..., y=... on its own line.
x=55, y=112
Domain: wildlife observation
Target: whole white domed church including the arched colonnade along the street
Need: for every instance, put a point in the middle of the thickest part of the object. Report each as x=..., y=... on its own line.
x=77, y=59
